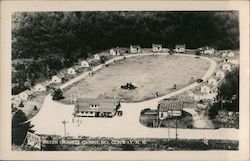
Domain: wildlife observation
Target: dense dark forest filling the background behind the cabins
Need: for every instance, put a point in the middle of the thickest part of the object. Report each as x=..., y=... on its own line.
x=55, y=40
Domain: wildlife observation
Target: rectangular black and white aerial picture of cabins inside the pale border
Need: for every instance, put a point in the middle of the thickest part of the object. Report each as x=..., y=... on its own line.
x=126, y=80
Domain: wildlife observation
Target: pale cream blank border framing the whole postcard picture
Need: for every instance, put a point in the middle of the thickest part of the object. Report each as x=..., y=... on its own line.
x=7, y=7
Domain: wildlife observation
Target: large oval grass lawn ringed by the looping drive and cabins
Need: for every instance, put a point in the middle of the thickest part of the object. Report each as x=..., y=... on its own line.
x=150, y=74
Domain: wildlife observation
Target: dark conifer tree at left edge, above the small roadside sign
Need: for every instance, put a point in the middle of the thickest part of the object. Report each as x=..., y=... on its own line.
x=20, y=127
